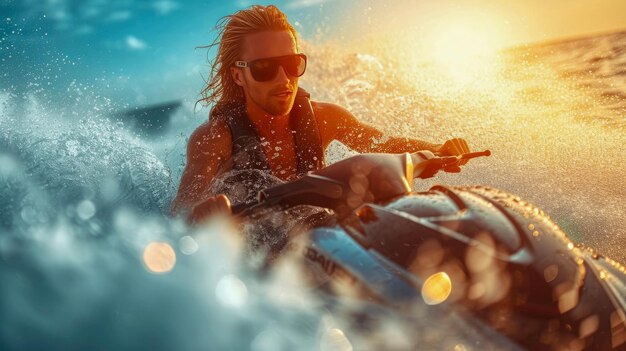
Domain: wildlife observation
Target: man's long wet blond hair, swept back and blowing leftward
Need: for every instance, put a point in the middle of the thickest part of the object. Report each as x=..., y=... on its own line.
x=220, y=87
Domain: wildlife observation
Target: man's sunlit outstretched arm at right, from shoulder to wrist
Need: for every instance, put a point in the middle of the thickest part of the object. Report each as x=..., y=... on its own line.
x=337, y=123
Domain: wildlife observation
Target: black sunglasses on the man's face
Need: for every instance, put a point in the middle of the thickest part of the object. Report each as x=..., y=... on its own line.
x=265, y=69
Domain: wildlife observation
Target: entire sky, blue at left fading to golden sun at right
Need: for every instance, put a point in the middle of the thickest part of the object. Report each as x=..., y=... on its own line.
x=145, y=48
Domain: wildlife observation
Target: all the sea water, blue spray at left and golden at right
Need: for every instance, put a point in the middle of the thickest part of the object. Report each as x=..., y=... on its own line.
x=90, y=259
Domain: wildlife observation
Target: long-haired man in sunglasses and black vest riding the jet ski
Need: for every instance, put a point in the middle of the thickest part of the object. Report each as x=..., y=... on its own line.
x=254, y=85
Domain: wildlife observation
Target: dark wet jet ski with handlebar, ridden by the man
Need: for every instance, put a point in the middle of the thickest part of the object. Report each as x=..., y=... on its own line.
x=475, y=248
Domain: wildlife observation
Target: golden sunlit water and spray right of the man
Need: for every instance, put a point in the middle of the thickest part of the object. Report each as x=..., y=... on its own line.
x=541, y=124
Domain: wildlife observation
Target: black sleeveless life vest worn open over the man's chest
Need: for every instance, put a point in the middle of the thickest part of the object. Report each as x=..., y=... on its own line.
x=247, y=152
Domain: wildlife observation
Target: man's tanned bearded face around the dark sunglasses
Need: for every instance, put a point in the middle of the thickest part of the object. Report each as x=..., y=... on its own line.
x=277, y=95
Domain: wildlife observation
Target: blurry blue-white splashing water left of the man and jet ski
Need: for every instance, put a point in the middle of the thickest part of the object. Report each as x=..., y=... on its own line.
x=90, y=262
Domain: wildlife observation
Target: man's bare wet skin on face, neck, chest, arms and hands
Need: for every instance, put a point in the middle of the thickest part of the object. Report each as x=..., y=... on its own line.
x=268, y=105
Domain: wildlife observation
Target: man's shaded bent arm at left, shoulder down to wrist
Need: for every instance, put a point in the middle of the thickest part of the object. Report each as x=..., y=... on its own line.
x=208, y=149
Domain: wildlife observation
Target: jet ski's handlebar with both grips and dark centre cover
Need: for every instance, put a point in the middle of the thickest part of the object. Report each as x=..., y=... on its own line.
x=373, y=177
